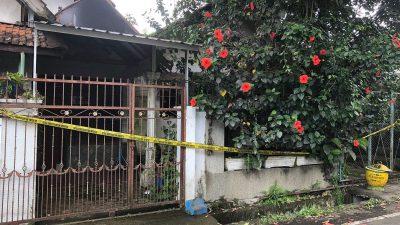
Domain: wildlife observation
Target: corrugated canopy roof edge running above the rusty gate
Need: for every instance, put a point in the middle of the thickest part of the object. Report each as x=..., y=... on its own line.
x=117, y=36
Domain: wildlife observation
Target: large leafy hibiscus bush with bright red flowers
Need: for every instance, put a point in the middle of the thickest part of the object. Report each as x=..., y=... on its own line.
x=290, y=75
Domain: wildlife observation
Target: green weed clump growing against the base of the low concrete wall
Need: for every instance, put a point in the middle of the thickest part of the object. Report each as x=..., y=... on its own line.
x=277, y=196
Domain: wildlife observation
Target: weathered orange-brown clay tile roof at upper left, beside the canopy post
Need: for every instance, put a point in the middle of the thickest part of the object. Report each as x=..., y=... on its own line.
x=20, y=35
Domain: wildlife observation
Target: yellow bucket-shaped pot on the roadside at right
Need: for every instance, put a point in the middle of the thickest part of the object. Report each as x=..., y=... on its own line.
x=377, y=175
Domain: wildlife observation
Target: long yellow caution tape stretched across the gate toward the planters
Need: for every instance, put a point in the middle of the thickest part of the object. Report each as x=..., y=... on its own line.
x=134, y=137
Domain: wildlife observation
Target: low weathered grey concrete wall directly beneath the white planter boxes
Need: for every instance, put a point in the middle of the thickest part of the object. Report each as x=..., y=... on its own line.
x=244, y=185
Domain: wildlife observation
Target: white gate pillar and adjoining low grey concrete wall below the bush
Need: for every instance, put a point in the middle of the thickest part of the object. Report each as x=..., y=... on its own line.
x=205, y=175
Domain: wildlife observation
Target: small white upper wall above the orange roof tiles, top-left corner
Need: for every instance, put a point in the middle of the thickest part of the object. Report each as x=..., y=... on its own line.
x=10, y=11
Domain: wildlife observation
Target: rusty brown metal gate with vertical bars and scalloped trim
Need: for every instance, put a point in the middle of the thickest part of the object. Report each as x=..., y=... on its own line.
x=49, y=172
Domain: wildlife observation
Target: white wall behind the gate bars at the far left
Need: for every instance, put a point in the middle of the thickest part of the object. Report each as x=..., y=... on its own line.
x=17, y=154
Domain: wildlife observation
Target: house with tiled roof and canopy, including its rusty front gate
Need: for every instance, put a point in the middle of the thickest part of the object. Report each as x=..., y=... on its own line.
x=78, y=71
